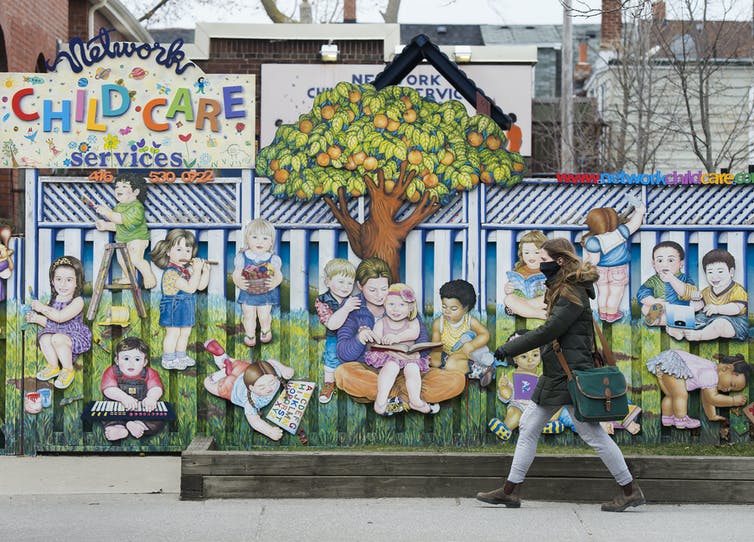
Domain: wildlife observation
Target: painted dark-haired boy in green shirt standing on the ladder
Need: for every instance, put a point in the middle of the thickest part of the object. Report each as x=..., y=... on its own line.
x=128, y=222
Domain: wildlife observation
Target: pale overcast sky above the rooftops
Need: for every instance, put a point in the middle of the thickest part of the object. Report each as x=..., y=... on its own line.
x=423, y=11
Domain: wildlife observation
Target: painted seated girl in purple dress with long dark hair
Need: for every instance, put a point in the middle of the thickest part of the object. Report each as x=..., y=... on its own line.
x=63, y=335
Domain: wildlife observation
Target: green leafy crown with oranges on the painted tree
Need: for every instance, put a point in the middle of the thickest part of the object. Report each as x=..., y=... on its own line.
x=352, y=130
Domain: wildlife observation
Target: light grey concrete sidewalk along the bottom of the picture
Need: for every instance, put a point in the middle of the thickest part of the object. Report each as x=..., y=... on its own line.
x=95, y=498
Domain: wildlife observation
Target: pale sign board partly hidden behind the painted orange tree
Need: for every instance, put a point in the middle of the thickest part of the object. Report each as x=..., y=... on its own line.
x=289, y=89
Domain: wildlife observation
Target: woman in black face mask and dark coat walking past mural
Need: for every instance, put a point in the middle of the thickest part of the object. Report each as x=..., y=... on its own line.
x=570, y=285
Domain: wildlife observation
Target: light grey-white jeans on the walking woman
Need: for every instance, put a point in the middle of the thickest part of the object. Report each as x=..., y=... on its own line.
x=534, y=419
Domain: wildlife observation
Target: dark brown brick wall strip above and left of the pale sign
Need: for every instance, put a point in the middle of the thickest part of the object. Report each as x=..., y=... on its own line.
x=247, y=56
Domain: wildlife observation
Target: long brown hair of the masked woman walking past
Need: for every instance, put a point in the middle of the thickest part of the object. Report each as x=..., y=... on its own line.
x=572, y=271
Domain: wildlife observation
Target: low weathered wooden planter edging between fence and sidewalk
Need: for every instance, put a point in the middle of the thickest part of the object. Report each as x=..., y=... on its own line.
x=208, y=473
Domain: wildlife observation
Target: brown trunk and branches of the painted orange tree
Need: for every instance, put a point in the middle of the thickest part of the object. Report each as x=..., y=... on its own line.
x=380, y=236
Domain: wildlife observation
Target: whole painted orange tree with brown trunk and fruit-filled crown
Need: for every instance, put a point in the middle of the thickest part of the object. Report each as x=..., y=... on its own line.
x=393, y=146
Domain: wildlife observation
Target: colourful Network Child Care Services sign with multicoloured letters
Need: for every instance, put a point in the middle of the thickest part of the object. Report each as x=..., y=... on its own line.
x=126, y=105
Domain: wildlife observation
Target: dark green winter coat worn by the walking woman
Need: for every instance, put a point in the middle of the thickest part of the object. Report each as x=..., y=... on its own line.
x=571, y=325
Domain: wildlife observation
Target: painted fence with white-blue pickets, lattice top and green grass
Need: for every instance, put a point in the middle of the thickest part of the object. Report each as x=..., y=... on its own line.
x=473, y=237
